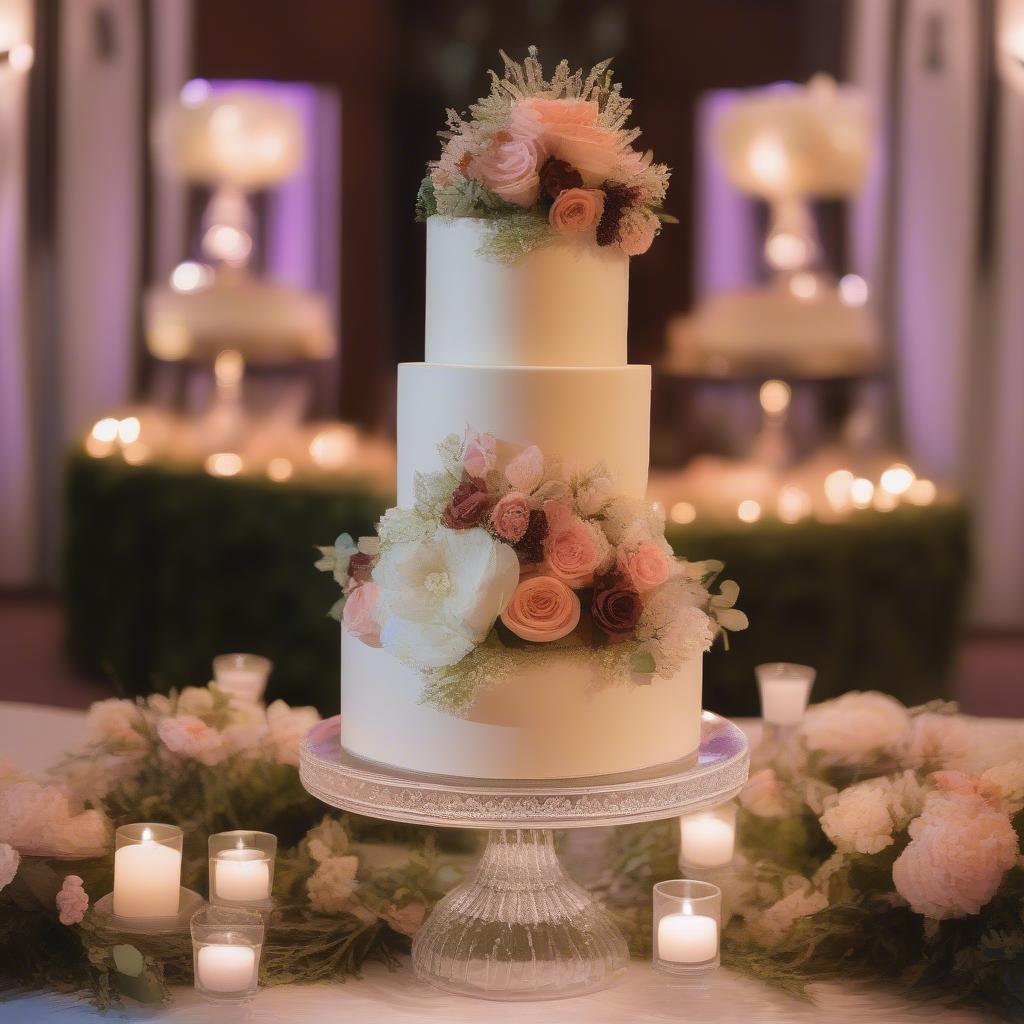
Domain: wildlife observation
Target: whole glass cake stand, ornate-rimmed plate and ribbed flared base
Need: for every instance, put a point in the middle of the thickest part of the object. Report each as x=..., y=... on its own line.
x=520, y=928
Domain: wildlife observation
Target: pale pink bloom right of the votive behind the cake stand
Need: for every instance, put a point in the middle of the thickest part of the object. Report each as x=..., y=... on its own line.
x=857, y=726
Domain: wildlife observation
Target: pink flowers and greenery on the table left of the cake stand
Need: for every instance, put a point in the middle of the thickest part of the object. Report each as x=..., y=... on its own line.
x=347, y=889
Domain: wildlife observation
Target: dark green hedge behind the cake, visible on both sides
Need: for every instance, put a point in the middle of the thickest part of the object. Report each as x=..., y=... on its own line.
x=167, y=568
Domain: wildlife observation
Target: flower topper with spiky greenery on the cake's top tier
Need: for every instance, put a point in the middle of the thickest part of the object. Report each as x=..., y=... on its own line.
x=544, y=159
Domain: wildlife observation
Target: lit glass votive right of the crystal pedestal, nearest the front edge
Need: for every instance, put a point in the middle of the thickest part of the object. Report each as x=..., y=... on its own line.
x=688, y=921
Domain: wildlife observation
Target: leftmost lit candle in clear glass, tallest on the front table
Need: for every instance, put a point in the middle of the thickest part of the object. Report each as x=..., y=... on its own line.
x=147, y=871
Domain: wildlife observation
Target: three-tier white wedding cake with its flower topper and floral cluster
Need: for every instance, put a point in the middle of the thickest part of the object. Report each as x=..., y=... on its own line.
x=520, y=615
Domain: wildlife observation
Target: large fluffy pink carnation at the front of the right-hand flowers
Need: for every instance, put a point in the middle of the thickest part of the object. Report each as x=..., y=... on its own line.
x=960, y=850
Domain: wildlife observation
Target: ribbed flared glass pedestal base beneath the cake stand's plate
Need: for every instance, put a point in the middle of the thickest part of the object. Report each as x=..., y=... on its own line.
x=520, y=929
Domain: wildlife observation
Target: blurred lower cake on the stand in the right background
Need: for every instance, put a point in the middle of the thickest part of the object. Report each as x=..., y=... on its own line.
x=774, y=331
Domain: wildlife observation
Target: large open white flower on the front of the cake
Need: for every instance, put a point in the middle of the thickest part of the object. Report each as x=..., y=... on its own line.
x=440, y=598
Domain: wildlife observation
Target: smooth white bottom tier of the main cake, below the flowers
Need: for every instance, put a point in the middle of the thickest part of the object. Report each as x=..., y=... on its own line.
x=557, y=721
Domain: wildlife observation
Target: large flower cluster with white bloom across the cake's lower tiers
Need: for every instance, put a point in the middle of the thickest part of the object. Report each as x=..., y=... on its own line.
x=505, y=559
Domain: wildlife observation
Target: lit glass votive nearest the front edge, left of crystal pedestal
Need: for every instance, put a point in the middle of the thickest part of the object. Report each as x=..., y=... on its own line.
x=228, y=944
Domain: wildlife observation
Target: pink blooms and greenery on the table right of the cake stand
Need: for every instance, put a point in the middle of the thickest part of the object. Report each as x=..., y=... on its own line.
x=884, y=844
